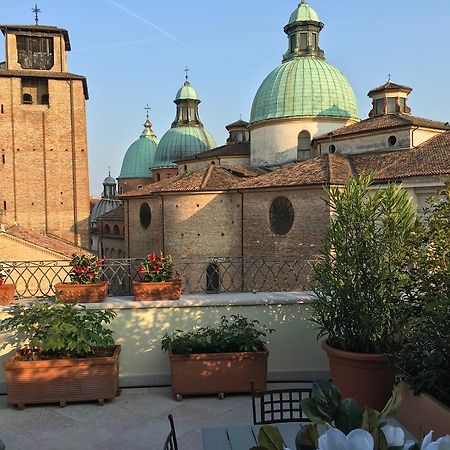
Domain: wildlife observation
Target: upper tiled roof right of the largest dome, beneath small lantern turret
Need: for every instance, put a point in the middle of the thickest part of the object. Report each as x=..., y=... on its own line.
x=384, y=122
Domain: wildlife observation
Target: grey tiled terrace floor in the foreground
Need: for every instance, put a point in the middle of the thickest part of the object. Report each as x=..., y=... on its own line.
x=136, y=420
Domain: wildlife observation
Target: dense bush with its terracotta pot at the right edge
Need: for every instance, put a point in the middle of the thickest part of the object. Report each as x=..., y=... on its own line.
x=424, y=357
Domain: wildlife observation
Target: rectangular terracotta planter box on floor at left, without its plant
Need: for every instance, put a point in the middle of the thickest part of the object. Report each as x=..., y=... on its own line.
x=62, y=380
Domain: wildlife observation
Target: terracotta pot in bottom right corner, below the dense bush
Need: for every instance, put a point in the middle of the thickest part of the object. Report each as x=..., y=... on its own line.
x=422, y=413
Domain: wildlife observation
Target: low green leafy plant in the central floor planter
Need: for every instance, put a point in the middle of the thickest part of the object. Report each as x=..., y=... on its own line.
x=236, y=334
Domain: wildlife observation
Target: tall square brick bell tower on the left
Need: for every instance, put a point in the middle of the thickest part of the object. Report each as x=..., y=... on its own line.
x=44, y=183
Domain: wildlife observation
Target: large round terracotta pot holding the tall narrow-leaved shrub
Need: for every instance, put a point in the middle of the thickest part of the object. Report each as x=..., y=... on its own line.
x=364, y=377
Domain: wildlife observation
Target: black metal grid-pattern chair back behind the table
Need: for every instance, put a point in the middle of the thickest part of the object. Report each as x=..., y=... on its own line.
x=278, y=405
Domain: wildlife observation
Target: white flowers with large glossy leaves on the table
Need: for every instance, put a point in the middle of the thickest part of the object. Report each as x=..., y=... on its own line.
x=341, y=424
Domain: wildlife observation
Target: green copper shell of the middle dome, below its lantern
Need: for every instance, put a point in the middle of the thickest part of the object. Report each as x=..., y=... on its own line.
x=182, y=142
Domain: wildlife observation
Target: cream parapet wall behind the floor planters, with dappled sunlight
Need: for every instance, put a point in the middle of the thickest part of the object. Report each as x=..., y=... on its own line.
x=295, y=353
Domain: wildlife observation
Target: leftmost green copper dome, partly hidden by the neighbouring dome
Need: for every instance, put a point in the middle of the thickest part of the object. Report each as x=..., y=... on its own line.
x=139, y=158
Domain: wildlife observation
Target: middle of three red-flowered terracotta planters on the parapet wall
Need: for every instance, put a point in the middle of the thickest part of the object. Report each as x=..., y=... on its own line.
x=85, y=286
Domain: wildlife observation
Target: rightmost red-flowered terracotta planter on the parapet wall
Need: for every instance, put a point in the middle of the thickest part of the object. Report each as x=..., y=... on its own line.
x=160, y=281
